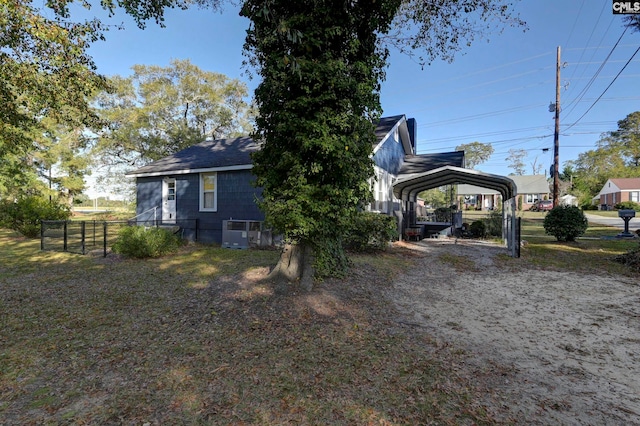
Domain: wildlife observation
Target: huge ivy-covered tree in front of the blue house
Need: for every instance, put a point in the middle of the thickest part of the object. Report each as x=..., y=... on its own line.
x=321, y=65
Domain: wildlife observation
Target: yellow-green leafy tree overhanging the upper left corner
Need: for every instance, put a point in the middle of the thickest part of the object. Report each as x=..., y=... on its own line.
x=46, y=72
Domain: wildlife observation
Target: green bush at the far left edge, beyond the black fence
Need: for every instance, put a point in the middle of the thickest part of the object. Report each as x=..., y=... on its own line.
x=24, y=215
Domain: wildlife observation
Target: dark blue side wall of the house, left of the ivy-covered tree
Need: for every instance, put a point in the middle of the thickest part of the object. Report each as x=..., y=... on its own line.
x=235, y=193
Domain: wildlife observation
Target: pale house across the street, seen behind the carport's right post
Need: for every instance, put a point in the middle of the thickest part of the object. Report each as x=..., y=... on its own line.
x=531, y=189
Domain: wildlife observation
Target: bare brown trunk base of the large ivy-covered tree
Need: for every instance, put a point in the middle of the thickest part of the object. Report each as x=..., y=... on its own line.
x=295, y=266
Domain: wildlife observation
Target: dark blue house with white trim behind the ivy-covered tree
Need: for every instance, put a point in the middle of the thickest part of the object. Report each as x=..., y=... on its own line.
x=209, y=186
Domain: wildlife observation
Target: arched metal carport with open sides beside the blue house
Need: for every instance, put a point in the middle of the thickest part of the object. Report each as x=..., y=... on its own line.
x=408, y=186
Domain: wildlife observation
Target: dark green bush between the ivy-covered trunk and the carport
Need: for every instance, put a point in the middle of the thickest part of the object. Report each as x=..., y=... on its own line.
x=371, y=231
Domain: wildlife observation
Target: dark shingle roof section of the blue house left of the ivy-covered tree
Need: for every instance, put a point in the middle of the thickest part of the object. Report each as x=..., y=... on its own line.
x=205, y=155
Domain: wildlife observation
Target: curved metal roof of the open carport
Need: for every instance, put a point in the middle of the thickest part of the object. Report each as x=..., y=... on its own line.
x=408, y=186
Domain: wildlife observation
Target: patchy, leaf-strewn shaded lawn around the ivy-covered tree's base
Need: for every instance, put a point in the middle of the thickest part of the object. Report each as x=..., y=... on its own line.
x=200, y=338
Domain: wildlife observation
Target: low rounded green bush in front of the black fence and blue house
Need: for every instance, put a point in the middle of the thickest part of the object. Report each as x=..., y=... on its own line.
x=141, y=242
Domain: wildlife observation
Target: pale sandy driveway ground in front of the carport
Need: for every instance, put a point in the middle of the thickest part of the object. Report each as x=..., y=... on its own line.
x=565, y=348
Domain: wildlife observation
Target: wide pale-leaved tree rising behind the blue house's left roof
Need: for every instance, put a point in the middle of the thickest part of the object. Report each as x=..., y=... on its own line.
x=158, y=111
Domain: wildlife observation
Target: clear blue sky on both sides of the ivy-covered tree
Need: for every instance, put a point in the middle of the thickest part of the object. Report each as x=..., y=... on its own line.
x=496, y=91
